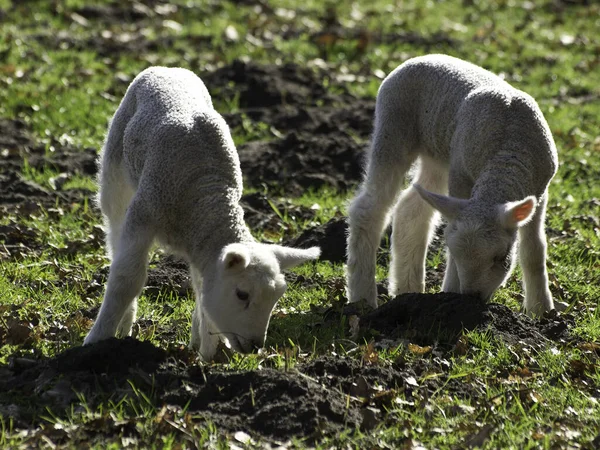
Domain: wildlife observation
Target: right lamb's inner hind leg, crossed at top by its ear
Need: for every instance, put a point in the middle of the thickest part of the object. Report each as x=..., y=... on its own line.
x=413, y=225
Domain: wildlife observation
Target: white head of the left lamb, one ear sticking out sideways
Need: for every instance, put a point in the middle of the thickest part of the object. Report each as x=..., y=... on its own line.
x=247, y=284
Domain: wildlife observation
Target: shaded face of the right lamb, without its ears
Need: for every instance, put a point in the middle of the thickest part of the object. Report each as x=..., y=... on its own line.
x=484, y=255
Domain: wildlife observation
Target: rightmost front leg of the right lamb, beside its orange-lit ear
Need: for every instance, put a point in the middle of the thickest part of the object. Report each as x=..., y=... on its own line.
x=532, y=253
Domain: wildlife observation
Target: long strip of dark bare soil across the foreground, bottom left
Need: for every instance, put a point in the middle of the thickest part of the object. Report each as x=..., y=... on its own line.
x=313, y=399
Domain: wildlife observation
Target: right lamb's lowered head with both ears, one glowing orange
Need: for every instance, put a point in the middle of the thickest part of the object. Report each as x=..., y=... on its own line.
x=481, y=240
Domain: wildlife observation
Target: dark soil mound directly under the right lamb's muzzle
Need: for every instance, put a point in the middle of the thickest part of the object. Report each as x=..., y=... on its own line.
x=439, y=319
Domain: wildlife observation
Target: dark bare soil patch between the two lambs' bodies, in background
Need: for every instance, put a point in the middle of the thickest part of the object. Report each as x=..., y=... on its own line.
x=323, y=136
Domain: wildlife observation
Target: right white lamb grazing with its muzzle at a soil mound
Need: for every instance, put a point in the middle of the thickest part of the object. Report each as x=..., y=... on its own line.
x=476, y=137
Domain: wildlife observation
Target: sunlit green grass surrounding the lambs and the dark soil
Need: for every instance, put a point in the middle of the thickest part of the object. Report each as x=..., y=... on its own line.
x=63, y=75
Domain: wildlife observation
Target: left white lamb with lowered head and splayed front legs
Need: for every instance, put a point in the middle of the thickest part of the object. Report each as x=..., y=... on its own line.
x=170, y=172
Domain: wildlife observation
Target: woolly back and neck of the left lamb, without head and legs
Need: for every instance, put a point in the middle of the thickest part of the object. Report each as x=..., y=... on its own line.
x=181, y=157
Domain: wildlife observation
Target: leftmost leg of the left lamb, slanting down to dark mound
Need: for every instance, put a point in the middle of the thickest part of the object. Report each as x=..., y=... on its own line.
x=126, y=277
